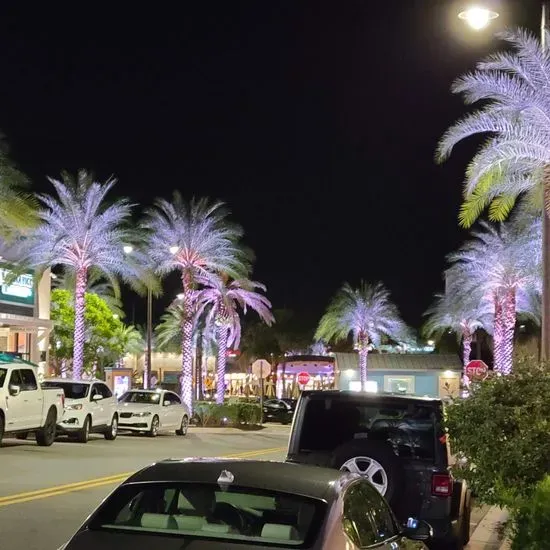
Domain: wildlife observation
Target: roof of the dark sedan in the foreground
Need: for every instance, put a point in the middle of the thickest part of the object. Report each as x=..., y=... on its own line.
x=312, y=481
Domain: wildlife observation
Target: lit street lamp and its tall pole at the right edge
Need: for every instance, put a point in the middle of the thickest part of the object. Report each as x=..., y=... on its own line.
x=478, y=18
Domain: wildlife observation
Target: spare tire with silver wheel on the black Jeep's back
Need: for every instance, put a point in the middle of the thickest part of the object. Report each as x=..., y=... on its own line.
x=373, y=459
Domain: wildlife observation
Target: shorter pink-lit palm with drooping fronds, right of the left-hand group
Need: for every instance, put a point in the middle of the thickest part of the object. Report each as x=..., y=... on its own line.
x=221, y=300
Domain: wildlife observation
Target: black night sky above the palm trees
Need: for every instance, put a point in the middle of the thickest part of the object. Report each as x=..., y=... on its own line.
x=315, y=121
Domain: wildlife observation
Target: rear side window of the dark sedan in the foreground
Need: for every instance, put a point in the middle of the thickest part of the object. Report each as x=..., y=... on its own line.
x=357, y=517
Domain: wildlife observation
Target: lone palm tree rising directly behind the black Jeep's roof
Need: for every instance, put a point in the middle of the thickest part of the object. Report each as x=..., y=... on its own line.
x=367, y=314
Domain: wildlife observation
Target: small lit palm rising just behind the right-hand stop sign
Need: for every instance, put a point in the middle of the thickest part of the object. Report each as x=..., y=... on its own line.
x=457, y=312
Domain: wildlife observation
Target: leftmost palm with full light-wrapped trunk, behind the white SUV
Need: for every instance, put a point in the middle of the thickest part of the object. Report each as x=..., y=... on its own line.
x=78, y=231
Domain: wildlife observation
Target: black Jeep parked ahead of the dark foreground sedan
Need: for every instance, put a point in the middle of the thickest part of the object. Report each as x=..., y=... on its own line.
x=398, y=443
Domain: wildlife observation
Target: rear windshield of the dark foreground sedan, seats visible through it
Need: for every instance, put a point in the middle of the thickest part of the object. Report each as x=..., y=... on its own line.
x=206, y=511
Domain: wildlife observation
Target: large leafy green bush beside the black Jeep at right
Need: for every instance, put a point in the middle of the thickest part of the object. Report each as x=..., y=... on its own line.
x=502, y=431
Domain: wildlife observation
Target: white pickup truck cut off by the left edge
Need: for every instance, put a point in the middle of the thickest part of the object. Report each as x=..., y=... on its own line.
x=25, y=406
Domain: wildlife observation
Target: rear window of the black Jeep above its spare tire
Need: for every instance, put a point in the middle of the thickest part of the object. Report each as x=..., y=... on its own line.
x=409, y=428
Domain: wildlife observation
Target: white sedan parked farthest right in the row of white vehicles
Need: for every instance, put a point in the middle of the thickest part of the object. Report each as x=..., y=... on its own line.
x=153, y=411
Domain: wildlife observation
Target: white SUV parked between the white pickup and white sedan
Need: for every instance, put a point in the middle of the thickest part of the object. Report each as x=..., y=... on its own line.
x=90, y=407
